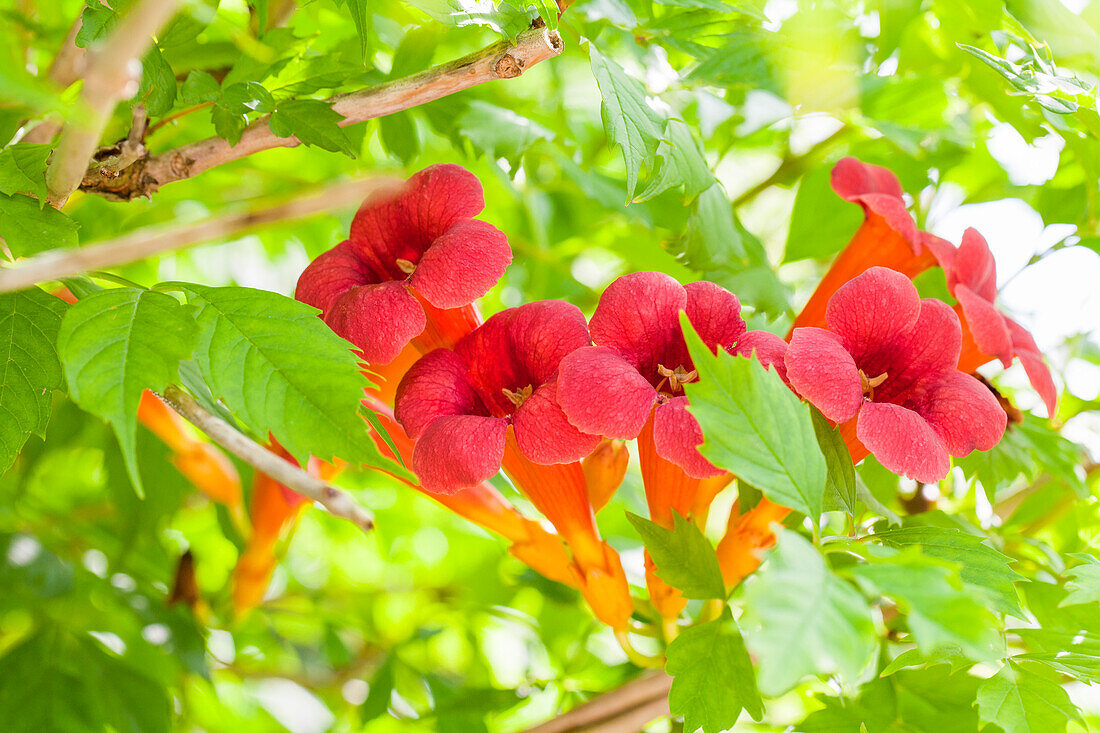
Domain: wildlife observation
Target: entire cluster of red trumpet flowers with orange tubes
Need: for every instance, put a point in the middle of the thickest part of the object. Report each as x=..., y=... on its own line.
x=551, y=398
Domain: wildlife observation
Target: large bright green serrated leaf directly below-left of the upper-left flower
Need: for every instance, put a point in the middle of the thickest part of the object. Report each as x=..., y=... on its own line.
x=283, y=371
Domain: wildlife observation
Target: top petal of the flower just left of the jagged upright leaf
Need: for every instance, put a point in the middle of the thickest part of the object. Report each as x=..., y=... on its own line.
x=639, y=316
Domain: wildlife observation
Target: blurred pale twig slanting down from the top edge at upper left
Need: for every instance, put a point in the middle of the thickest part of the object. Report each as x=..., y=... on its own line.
x=111, y=78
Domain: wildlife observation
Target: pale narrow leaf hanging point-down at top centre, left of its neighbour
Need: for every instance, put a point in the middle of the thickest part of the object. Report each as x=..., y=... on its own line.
x=629, y=121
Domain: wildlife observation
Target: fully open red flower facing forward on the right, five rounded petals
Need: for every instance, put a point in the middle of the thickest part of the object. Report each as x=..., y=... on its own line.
x=887, y=362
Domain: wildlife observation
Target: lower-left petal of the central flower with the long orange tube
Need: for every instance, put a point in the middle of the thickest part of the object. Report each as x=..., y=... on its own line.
x=459, y=452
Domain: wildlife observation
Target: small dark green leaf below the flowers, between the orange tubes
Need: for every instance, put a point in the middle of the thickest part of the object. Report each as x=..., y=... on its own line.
x=685, y=557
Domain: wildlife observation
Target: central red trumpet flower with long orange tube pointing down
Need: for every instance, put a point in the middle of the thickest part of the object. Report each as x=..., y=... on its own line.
x=493, y=402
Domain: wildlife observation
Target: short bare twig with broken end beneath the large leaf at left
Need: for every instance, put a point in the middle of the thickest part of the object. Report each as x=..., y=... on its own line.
x=336, y=501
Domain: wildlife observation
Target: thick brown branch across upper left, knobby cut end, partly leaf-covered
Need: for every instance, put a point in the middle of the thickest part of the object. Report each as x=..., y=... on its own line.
x=500, y=61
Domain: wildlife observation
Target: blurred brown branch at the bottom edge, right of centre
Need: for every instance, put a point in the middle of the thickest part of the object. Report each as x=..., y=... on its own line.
x=626, y=708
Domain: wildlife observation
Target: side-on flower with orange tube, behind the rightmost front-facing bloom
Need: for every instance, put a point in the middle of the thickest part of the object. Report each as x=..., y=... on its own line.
x=888, y=238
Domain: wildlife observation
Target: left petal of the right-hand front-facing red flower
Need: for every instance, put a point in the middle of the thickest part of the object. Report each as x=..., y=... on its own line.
x=823, y=373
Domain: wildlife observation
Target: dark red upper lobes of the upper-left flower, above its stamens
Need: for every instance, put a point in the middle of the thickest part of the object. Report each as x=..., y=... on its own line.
x=388, y=227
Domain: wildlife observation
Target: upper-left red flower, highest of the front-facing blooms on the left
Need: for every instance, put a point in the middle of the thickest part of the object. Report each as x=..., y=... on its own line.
x=412, y=267
